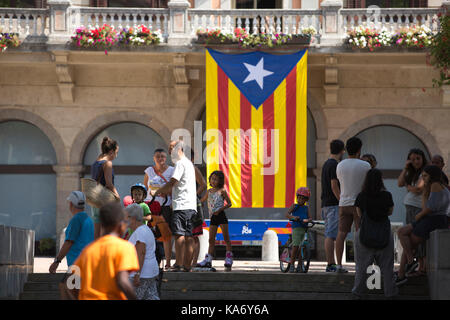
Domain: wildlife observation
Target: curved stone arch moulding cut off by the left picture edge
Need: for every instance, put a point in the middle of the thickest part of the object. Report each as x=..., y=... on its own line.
x=48, y=129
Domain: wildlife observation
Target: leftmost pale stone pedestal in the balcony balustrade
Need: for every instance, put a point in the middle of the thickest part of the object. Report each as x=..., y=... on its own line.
x=60, y=24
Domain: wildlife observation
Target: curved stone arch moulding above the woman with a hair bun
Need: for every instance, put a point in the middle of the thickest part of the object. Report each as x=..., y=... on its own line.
x=89, y=131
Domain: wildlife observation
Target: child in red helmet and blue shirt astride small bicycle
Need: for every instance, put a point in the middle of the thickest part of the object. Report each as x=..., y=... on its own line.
x=299, y=214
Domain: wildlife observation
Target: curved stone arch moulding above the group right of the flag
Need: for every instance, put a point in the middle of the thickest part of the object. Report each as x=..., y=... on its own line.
x=397, y=121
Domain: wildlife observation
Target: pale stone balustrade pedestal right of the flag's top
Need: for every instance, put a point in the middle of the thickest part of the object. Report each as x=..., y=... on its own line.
x=331, y=33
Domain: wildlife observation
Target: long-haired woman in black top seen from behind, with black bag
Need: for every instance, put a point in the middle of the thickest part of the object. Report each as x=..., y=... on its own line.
x=374, y=242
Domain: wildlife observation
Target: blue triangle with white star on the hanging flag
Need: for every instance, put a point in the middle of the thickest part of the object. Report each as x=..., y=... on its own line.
x=256, y=74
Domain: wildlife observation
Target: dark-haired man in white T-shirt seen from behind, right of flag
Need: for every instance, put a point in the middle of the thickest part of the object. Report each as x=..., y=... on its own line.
x=351, y=173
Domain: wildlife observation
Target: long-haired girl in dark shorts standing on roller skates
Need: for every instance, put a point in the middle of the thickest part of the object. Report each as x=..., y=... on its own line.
x=216, y=197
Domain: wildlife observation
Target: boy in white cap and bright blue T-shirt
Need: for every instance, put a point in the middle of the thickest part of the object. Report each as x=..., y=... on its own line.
x=79, y=232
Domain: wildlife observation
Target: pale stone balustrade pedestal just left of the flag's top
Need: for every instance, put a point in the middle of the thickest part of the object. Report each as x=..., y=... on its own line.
x=178, y=23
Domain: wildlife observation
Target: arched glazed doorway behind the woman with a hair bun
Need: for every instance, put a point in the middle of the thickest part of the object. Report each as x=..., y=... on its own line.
x=136, y=147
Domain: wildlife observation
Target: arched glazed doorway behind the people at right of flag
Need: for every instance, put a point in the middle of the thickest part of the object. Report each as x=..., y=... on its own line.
x=390, y=145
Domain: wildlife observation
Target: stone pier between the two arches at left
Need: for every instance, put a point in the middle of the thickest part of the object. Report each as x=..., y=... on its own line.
x=67, y=180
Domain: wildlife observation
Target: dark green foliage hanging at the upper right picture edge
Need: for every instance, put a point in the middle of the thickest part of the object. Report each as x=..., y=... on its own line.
x=440, y=51
